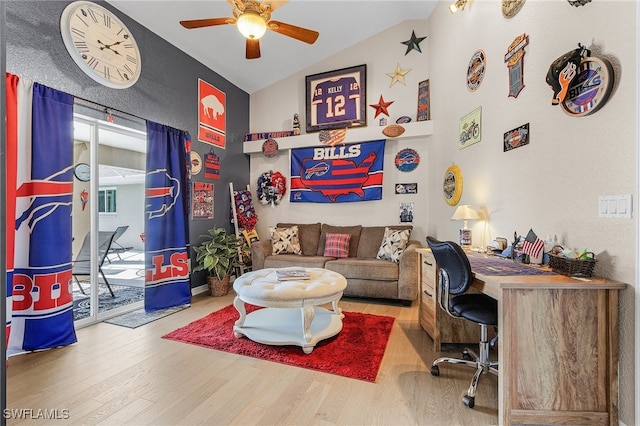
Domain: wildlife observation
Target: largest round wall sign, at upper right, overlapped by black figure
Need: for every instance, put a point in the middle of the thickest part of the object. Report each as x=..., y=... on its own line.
x=590, y=88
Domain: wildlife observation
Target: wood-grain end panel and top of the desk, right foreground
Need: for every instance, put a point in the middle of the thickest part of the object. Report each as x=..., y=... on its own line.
x=557, y=348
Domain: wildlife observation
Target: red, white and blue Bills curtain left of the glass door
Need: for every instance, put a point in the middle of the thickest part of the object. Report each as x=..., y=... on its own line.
x=39, y=205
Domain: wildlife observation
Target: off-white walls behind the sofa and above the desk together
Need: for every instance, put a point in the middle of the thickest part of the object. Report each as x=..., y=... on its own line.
x=551, y=185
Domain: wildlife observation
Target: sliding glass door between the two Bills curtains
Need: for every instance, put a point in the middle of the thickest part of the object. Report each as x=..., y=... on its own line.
x=108, y=219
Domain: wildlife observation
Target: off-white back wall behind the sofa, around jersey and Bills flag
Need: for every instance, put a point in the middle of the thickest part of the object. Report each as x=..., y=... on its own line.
x=272, y=109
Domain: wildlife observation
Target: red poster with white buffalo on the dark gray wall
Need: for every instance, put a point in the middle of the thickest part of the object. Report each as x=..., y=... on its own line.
x=212, y=123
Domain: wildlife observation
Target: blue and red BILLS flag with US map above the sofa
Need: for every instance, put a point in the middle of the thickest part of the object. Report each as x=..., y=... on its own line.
x=339, y=174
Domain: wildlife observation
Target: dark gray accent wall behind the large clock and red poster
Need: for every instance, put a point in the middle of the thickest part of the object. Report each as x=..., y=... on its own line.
x=166, y=93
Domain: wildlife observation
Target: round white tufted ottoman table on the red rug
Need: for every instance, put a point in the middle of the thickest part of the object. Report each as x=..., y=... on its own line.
x=292, y=315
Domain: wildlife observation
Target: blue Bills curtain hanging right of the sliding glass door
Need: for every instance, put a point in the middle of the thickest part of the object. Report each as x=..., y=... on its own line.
x=166, y=219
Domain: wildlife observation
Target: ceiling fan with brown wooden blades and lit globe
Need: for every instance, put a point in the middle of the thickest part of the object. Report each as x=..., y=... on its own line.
x=253, y=18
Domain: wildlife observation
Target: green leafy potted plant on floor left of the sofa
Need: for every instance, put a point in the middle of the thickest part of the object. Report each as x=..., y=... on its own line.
x=219, y=257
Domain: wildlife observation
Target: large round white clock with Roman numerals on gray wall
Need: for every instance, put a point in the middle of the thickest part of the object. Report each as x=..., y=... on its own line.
x=100, y=44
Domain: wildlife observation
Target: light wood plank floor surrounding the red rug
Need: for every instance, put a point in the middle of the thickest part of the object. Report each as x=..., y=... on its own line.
x=117, y=376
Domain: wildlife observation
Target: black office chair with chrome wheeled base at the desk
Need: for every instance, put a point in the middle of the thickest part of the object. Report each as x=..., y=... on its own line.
x=455, y=278
